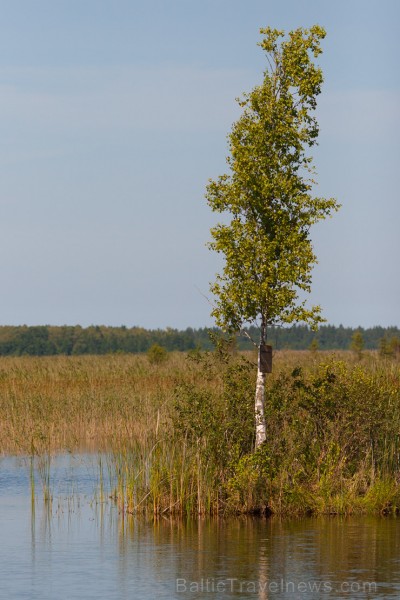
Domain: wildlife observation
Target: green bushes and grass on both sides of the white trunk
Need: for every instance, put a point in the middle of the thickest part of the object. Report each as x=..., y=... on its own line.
x=333, y=444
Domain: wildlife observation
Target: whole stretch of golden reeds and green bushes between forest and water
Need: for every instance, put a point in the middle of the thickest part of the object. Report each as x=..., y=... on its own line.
x=178, y=436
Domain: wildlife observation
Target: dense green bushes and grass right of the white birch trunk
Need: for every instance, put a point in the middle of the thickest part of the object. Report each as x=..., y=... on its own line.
x=333, y=432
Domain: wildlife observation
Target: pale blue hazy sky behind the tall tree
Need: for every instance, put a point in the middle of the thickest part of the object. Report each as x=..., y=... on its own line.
x=115, y=113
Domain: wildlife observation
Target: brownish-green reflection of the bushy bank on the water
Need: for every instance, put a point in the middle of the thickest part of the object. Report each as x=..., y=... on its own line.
x=356, y=557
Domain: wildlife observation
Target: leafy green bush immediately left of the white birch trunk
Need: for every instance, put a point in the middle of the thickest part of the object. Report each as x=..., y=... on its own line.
x=218, y=420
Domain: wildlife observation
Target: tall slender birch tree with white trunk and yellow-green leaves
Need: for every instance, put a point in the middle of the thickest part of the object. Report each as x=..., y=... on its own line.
x=267, y=198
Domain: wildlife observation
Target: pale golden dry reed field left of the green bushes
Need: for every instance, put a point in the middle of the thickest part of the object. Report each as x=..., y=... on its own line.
x=69, y=403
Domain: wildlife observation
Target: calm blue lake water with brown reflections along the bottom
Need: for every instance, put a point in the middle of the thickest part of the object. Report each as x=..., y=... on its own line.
x=79, y=547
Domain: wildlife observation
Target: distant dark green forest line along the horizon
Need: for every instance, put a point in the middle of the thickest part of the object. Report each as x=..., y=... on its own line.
x=48, y=340
